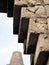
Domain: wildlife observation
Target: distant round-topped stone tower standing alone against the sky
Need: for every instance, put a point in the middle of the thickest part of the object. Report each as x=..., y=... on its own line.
x=16, y=59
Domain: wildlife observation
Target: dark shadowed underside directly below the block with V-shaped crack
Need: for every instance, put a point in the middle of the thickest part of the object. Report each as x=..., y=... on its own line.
x=23, y=30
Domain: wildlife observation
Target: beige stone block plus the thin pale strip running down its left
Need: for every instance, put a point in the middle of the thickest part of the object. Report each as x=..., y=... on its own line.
x=39, y=27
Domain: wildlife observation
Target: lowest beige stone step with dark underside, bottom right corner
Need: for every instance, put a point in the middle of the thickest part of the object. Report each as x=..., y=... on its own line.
x=42, y=51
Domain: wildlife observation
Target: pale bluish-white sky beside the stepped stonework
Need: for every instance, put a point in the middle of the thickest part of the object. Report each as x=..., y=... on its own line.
x=9, y=42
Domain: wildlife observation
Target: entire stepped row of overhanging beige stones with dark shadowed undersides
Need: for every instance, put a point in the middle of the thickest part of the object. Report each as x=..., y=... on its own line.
x=31, y=23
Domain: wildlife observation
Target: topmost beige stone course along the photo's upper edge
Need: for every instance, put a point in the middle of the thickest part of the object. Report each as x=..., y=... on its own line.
x=31, y=2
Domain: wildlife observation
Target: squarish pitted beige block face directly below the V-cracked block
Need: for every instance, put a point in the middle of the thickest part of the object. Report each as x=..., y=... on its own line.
x=38, y=25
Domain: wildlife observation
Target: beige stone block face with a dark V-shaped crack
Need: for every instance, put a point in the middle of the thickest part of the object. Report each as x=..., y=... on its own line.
x=36, y=11
